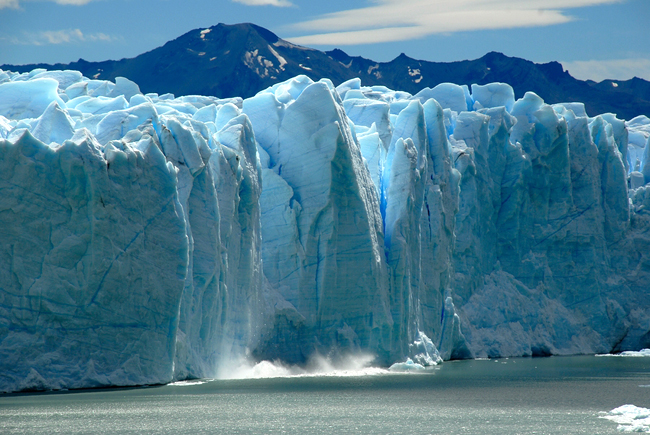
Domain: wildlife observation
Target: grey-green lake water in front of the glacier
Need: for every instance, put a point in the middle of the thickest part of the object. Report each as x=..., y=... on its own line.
x=556, y=395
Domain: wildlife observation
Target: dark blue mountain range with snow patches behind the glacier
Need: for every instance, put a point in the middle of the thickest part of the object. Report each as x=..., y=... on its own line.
x=242, y=59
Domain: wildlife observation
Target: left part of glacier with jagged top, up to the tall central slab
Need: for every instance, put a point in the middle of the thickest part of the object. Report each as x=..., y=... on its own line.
x=132, y=243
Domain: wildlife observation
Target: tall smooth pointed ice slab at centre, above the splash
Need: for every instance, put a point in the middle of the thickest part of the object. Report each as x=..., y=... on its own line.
x=322, y=233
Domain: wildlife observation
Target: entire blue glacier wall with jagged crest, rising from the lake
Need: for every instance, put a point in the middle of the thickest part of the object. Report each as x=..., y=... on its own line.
x=148, y=239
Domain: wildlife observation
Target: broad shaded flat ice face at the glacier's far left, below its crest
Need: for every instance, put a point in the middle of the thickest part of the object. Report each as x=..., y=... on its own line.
x=86, y=236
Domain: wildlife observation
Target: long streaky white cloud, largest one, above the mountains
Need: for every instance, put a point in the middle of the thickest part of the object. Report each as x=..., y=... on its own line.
x=399, y=20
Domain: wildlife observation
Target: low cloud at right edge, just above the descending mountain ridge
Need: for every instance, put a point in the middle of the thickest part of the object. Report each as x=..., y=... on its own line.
x=615, y=69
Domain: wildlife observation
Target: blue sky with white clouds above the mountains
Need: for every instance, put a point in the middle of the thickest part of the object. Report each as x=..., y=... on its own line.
x=593, y=39
